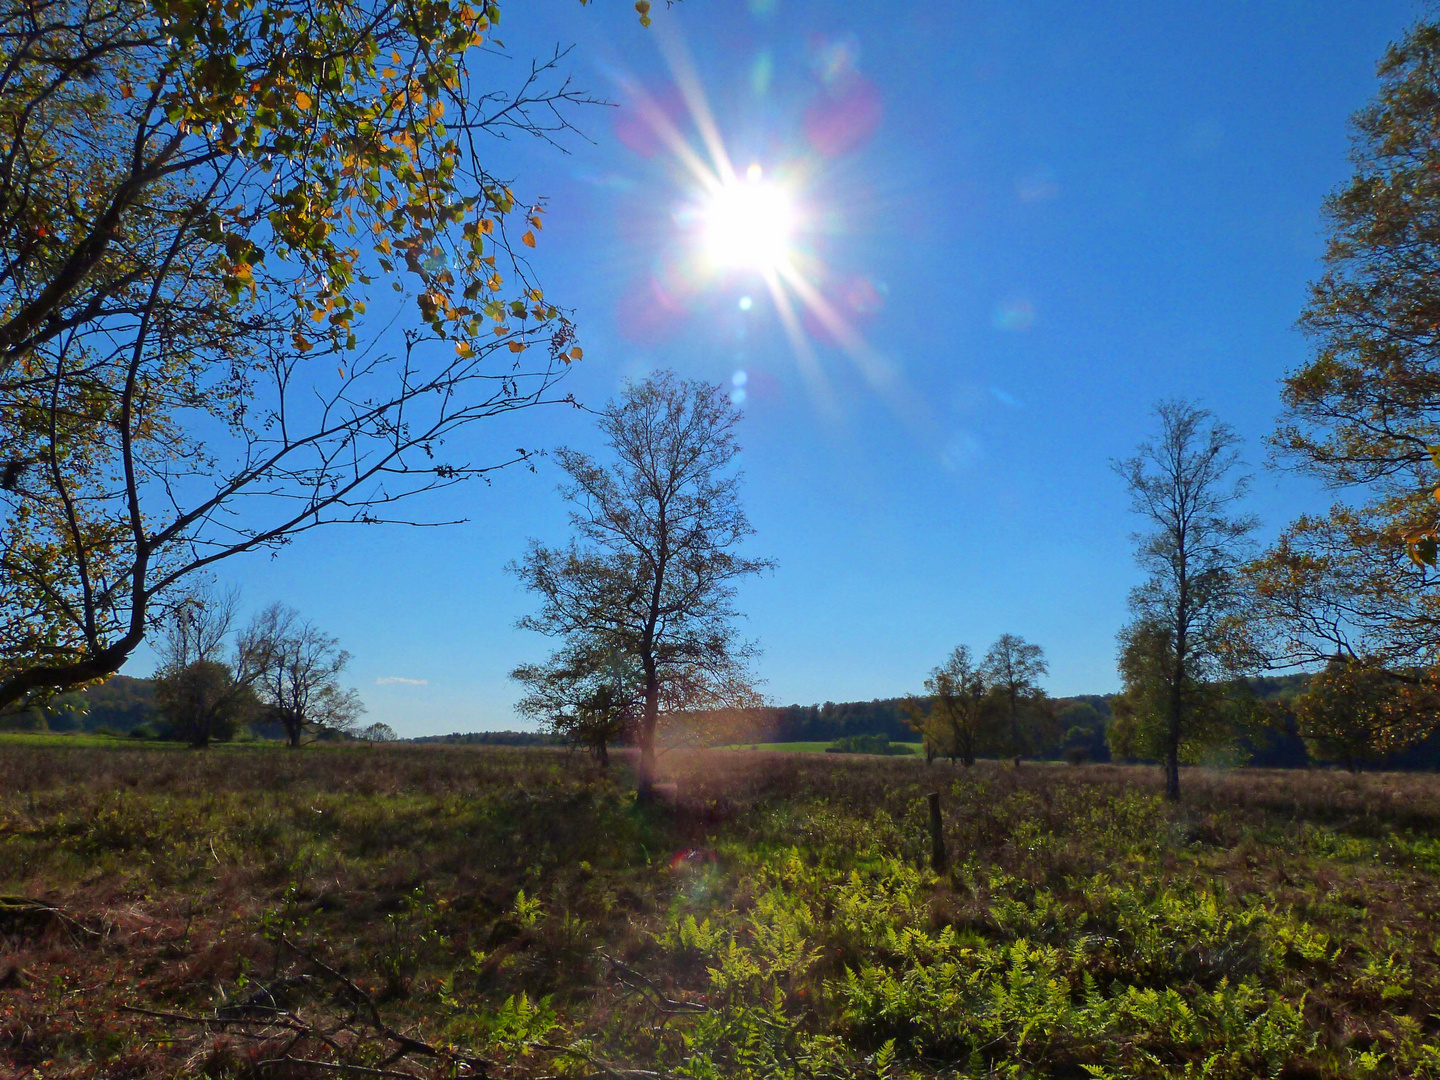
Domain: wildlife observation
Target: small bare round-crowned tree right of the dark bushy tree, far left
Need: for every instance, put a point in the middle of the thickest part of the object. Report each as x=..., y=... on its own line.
x=297, y=675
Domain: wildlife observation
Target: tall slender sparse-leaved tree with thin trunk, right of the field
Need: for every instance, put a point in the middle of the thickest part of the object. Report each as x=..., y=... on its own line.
x=1184, y=485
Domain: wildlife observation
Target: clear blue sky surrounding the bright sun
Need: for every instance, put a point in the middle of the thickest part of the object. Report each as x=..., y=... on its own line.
x=1019, y=224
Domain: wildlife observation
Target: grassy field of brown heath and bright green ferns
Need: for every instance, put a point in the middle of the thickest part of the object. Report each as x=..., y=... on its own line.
x=451, y=912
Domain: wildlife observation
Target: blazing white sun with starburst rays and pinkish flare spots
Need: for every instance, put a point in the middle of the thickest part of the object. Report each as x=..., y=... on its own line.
x=738, y=224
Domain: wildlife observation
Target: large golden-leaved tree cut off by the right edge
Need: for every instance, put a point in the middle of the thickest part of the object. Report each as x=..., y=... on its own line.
x=1364, y=414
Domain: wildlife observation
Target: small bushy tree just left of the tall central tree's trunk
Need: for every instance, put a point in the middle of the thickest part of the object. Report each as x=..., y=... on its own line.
x=587, y=695
